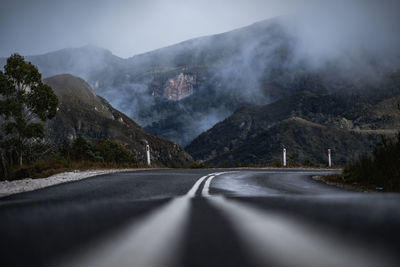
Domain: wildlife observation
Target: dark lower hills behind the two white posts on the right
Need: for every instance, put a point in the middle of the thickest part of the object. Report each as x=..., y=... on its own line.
x=307, y=124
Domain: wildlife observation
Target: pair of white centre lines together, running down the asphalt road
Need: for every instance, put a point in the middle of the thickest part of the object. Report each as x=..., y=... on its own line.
x=157, y=239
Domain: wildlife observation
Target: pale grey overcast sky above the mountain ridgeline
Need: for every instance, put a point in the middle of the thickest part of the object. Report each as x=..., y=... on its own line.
x=126, y=27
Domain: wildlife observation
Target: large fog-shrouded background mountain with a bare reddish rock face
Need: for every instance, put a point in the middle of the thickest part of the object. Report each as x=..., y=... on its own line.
x=180, y=91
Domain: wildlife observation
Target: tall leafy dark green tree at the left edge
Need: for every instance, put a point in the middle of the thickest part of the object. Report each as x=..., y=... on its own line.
x=25, y=103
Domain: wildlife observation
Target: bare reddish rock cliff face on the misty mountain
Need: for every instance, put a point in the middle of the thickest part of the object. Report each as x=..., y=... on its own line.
x=179, y=87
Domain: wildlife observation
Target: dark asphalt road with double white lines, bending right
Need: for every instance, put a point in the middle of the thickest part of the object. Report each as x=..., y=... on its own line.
x=184, y=218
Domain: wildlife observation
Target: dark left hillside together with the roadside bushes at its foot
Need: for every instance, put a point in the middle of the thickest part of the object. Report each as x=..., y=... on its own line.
x=87, y=132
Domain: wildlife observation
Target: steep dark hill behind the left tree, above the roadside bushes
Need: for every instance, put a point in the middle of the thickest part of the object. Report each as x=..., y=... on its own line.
x=81, y=111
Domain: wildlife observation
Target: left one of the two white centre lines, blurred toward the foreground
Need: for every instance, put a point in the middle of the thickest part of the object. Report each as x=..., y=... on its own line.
x=145, y=241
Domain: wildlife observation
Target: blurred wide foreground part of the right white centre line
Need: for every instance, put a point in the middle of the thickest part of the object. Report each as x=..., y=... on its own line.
x=273, y=238
